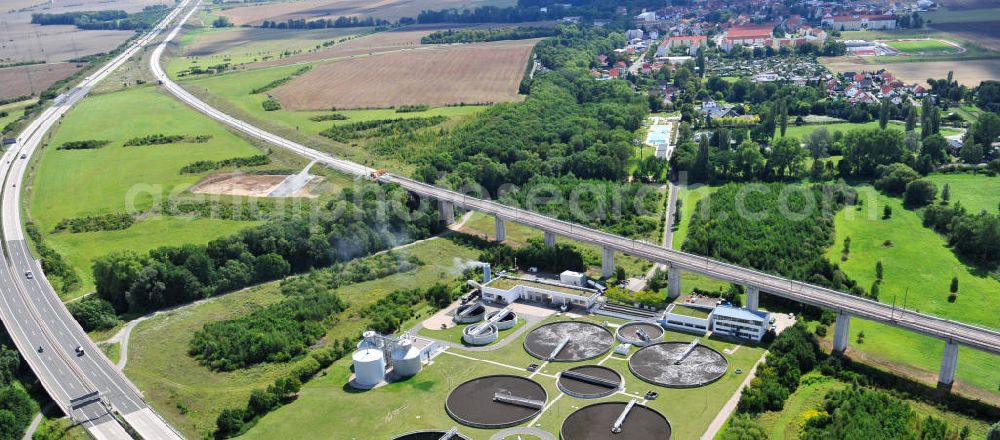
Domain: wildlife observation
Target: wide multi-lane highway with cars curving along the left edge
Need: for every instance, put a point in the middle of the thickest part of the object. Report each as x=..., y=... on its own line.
x=87, y=387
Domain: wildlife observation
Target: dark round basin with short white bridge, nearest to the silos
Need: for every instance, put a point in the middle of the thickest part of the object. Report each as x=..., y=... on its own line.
x=474, y=403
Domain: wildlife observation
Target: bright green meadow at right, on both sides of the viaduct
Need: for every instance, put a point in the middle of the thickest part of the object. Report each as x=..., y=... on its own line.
x=919, y=266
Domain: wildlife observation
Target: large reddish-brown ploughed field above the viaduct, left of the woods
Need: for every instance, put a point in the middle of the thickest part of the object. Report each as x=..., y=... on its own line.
x=439, y=76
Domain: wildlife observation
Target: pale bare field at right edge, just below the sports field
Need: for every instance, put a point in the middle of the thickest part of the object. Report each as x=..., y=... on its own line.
x=967, y=72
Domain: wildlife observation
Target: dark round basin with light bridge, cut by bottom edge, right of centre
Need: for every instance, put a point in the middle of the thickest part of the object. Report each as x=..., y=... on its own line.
x=594, y=422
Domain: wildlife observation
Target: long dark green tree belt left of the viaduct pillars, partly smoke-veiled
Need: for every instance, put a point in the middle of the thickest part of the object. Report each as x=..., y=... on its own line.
x=353, y=225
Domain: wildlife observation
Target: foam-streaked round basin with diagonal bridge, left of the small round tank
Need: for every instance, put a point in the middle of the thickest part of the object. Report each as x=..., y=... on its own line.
x=585, y=341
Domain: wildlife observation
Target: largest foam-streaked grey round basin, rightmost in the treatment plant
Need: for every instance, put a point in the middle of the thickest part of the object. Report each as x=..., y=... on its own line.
x=657, y=364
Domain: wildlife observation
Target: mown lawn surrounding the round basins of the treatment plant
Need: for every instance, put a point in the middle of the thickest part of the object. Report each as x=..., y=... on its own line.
x=417, y=403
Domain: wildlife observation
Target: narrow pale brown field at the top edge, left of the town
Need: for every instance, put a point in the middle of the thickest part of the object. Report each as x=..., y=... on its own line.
x=385, y=9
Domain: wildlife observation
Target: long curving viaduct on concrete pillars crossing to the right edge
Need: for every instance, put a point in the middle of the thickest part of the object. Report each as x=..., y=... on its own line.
x=953, y=333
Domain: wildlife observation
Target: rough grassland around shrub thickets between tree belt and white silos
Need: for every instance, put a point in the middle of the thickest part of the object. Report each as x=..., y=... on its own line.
x=159, y=364
